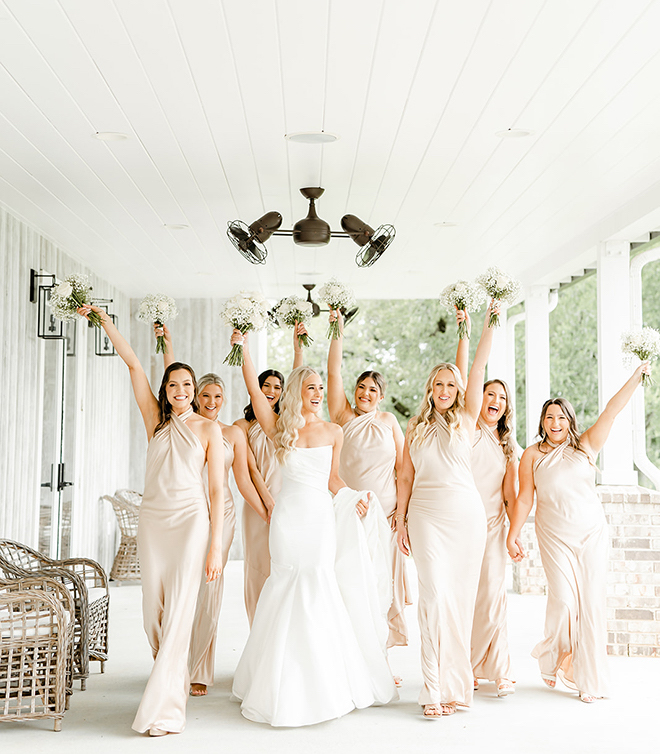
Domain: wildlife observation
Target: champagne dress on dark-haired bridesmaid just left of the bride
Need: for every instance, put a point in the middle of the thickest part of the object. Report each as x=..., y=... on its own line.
x=256, y=562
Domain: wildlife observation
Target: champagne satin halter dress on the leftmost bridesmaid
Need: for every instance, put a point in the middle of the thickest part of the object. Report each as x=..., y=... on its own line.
x=173, y=534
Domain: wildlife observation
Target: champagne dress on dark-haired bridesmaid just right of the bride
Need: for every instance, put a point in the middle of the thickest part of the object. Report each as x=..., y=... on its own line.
x=368, y=460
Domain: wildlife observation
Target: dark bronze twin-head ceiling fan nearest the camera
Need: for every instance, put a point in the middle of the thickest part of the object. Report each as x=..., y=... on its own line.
x=311, y=231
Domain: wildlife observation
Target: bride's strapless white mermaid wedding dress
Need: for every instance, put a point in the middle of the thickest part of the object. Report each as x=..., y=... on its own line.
x=302, y=663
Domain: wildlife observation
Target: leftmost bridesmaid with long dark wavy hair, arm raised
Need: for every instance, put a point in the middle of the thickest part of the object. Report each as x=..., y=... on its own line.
x=173, y=531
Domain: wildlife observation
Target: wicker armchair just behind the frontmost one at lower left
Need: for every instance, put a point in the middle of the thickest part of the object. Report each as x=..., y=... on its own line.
x=88, y=584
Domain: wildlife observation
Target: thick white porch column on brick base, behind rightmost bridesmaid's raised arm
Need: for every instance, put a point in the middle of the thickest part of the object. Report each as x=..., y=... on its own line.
x=613, y=319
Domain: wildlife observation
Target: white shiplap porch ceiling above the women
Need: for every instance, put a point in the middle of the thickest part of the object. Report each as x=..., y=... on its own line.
x=207, y=89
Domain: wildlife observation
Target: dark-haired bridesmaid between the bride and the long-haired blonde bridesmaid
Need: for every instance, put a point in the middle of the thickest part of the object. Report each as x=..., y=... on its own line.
x=371, y=458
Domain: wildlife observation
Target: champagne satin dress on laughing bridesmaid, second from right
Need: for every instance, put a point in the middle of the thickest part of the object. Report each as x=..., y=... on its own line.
x=490, y=646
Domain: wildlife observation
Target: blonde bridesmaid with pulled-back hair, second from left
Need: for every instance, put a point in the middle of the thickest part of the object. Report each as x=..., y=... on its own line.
x=210, y=390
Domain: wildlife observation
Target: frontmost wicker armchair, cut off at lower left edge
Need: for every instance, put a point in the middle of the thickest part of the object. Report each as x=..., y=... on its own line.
x=35, y=650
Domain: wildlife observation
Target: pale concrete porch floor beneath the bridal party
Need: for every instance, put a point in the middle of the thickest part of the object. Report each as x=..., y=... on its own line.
x=534, y=720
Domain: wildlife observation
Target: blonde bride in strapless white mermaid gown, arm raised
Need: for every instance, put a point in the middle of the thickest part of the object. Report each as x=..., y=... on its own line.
x=303, y=662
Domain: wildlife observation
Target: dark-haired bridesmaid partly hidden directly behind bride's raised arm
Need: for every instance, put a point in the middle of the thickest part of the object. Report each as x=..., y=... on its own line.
x=265, y=472
